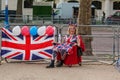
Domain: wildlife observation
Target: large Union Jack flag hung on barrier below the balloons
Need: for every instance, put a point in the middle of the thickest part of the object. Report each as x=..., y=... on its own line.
x=25, y=47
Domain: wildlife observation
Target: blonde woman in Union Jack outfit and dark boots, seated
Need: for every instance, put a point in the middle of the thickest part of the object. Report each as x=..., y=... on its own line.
x=65, y=48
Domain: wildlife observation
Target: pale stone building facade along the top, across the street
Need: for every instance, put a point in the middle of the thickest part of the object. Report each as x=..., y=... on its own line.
x=108, y=6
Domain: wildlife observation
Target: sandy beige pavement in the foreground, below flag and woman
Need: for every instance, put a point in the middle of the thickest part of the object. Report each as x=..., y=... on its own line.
x=37, y=71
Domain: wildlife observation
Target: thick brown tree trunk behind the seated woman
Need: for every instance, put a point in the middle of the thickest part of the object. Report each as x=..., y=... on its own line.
x=84, y=18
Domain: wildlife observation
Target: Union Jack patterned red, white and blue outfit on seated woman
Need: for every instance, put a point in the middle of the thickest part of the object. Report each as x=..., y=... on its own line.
x=66, y=46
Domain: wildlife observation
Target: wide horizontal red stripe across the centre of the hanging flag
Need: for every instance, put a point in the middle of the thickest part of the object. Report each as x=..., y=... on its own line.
x=26, y=46
